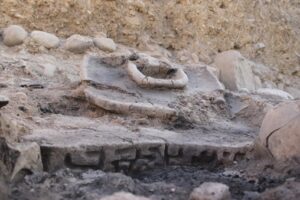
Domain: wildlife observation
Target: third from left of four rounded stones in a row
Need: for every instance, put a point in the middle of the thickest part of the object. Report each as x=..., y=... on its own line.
x=78, y=44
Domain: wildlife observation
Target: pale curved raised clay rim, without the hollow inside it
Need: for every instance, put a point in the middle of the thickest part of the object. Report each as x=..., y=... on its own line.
x=179, y=81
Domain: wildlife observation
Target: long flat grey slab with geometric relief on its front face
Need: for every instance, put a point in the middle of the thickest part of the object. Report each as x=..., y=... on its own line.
x=77, y=142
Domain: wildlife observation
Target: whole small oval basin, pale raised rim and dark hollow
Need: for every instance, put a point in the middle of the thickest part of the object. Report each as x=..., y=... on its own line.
x=157, y=76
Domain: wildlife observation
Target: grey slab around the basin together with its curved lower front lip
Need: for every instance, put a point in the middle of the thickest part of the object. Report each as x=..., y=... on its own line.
x=119, y=91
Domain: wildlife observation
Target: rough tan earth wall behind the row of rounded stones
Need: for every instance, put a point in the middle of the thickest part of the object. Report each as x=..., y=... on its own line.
x=193, y=29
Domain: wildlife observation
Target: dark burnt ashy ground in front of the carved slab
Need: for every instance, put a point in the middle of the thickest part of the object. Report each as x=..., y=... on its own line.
x=173, y=182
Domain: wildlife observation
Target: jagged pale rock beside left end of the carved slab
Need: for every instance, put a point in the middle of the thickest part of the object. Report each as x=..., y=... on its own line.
x=19, y=158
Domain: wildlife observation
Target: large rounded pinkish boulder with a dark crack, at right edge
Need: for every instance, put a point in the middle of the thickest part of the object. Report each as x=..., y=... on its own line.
x=280, y=133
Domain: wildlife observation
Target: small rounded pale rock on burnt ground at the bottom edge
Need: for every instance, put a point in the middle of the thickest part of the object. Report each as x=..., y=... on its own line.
x=211, y=191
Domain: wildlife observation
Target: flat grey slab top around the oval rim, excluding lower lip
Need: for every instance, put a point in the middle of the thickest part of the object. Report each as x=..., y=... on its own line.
x=115, y=83
